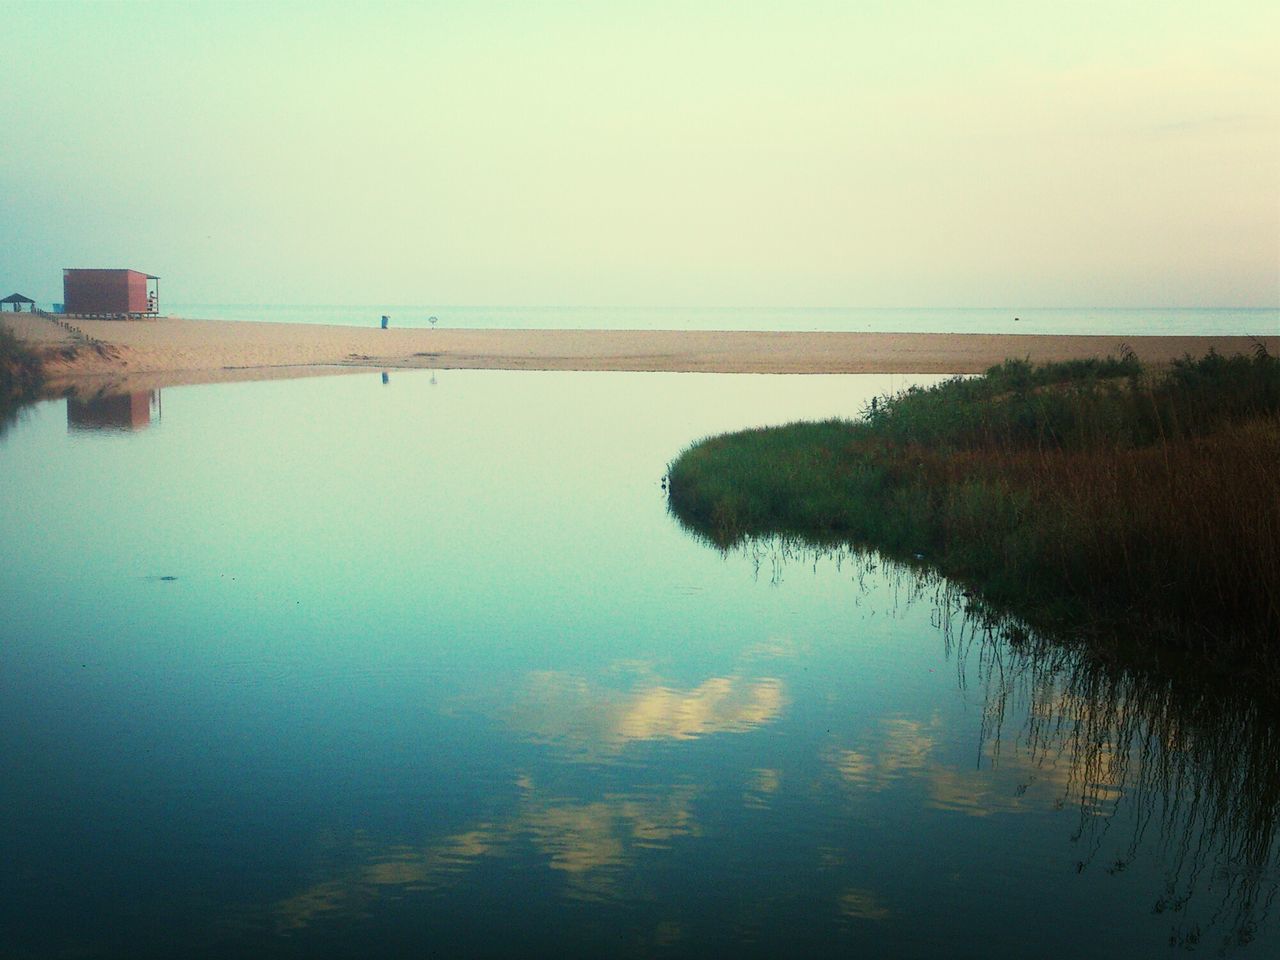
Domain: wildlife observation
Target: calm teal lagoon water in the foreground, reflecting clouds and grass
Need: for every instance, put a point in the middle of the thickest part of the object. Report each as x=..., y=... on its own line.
x=336, y=668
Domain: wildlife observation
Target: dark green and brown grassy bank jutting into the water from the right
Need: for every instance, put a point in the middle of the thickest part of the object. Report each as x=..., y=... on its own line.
x=1092, y=495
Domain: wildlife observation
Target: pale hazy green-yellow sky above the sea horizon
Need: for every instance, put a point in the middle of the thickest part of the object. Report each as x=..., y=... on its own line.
x=684, y=154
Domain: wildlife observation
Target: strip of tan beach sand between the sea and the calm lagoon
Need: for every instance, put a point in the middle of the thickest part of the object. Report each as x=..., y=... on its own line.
x=170, y=351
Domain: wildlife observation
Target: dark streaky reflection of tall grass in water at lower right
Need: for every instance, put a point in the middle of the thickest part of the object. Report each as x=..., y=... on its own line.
x=1195, y=760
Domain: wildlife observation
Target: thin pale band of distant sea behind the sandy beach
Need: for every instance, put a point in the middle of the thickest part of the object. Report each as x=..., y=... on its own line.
x=1055, y=321
